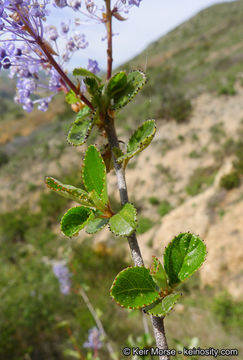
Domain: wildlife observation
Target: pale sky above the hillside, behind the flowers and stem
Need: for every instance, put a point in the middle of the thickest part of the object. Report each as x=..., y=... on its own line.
x=145, y=24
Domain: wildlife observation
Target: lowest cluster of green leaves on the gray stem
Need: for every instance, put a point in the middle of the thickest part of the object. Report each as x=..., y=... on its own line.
x=153, y=289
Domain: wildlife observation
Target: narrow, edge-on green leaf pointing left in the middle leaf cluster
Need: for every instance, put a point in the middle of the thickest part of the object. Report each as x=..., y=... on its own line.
x=69, y=191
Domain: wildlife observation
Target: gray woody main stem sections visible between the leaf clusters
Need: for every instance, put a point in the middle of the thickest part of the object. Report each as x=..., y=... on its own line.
x=157, y=322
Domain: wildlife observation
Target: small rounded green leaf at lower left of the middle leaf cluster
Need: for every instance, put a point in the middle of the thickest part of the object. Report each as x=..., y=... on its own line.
x=75, y=220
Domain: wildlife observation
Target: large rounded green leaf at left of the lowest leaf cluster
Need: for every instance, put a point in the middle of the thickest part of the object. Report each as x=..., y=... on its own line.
x=134, y=288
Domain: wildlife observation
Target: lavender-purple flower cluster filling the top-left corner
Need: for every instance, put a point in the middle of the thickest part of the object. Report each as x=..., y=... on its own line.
x=24, y=47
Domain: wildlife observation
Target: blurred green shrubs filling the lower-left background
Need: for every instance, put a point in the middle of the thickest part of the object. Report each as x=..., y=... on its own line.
x=31, y=302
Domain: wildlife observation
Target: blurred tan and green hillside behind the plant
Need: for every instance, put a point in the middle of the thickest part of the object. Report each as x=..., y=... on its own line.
x=189, y=179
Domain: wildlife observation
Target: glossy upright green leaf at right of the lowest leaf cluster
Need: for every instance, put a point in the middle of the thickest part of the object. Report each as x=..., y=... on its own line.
x=183, y=256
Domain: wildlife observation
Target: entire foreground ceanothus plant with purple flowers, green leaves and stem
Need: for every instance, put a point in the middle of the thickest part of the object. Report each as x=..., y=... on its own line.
x=96, y=102
